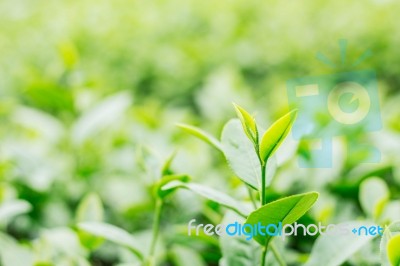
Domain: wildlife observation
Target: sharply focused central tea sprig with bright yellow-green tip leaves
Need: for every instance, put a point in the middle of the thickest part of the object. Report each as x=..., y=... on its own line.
x=251, y=167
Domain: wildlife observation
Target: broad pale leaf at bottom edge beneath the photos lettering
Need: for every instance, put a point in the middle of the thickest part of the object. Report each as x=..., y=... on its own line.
x=335, y=249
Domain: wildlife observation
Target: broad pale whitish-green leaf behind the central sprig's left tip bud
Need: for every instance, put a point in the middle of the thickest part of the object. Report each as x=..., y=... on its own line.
x=240, y=154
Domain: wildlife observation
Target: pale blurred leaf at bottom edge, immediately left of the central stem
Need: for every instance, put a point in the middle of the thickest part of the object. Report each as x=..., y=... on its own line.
x=236, y=250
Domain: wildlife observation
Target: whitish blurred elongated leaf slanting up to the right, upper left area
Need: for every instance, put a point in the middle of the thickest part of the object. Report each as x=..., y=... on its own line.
x=102, y=116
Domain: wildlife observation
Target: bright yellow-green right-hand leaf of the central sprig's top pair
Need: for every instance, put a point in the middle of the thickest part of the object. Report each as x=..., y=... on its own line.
x=275, y=135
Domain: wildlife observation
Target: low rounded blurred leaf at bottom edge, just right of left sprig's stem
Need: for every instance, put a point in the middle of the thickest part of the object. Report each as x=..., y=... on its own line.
x=183, y=256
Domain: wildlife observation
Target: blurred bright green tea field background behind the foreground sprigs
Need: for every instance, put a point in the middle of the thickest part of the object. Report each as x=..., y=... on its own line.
x=90, y=92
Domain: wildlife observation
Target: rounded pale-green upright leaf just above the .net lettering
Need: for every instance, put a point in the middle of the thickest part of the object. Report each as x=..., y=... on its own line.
x=374, y=194
